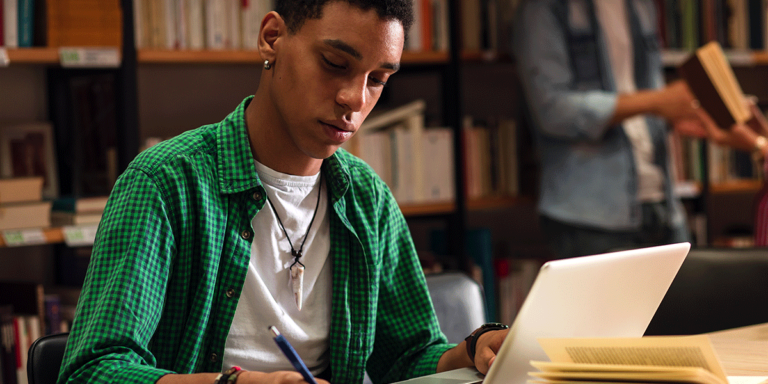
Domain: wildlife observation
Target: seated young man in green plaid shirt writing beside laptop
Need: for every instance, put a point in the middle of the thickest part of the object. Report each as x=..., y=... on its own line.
x=260, y=220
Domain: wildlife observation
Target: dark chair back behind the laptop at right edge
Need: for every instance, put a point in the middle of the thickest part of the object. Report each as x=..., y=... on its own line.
x=715, y=289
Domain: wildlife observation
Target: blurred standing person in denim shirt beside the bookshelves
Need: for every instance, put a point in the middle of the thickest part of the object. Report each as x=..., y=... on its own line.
x=593, y=80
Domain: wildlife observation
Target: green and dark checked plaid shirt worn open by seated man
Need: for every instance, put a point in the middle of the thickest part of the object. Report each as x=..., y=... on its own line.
x=173, y=248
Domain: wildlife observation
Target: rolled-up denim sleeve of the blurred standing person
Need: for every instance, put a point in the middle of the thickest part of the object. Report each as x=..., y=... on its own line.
x=559, y=109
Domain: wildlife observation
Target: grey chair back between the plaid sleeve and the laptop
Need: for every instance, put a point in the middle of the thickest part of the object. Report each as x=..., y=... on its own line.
x=459, y=304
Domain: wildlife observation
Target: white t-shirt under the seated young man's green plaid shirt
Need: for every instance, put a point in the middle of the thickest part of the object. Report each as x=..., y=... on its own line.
x=267, y=297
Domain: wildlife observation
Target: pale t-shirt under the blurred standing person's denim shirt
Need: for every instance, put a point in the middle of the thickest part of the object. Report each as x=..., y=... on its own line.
x=613, y=17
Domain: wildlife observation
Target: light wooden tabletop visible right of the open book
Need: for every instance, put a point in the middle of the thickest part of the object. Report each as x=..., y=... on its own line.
x=743, y=351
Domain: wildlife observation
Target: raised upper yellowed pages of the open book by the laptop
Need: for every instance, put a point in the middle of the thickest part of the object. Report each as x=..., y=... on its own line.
x=670, y=351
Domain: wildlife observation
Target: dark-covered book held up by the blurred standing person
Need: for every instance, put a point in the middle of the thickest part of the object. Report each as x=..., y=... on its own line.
x=711, y=79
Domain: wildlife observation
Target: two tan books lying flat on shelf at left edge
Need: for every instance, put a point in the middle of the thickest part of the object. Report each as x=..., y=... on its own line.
x=22, y=205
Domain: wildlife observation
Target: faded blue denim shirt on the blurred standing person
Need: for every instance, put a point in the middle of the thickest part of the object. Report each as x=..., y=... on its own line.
x=588, y=174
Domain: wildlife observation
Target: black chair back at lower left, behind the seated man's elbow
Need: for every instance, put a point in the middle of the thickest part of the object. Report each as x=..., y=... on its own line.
x=44, y=360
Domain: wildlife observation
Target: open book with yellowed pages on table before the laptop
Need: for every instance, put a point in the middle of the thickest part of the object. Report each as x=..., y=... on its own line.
x=654, y=359
